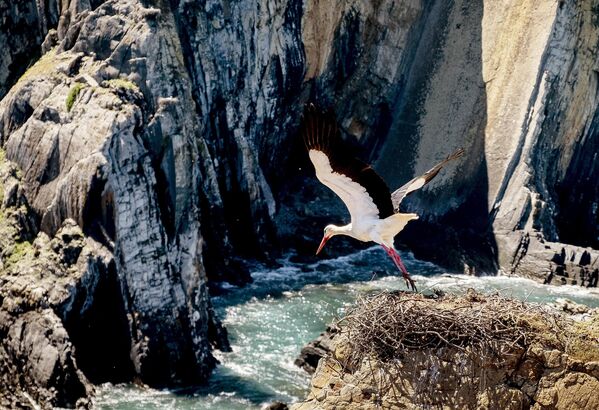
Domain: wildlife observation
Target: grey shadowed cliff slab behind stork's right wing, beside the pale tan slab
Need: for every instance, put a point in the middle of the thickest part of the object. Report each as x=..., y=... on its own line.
x=440, y=106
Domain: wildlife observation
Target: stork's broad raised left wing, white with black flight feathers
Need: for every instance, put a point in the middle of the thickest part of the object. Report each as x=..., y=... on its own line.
x=361, y=189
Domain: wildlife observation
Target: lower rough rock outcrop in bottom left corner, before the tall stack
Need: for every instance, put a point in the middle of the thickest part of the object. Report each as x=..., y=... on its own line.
x=49, y=301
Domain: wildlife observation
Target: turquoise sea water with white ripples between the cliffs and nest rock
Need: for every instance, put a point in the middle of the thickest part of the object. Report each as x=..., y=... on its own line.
x=270, y=320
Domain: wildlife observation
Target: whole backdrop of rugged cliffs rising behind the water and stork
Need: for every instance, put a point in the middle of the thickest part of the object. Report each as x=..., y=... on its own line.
x=166, y=131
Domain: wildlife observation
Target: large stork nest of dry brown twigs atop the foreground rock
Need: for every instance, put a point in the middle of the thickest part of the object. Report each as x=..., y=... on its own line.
x=388, y=325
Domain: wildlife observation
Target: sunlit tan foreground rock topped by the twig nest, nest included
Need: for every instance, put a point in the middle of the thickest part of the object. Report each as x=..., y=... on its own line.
x=553, y=366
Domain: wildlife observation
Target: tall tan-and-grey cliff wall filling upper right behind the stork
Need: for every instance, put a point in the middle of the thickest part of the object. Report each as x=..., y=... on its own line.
x=513, y=83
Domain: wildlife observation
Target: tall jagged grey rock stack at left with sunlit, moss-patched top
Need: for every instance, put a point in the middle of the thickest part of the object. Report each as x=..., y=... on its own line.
x=102, y=134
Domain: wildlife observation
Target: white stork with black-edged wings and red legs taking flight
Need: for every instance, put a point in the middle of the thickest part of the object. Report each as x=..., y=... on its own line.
x=373, y=209
